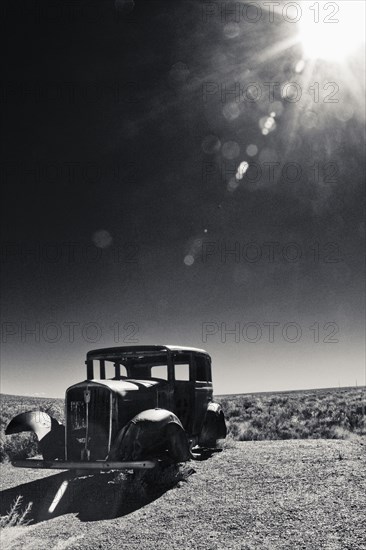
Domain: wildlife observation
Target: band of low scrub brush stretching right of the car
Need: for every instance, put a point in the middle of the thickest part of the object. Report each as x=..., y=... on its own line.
x=331, y=414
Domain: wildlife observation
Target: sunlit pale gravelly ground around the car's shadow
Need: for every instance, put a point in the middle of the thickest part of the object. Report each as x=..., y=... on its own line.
x=291, y=495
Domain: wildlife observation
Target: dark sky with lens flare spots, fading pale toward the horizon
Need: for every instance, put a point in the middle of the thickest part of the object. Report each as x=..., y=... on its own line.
x=124, y=127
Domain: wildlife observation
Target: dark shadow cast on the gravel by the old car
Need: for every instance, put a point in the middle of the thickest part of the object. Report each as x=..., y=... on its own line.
x=101, y=496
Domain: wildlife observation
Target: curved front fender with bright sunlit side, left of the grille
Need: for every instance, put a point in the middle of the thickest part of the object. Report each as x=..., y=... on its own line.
x=50, y=434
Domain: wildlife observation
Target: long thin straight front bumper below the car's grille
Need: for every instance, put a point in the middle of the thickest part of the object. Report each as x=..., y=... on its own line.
x=98, y=465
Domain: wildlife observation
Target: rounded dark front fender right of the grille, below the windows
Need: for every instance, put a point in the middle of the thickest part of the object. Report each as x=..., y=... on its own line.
x=149, y=434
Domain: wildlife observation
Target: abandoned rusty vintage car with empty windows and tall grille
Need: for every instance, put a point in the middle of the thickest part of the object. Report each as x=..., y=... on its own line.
x=149, y=403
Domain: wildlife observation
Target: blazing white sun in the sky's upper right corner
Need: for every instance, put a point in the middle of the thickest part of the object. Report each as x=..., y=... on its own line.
x=332, y=30
